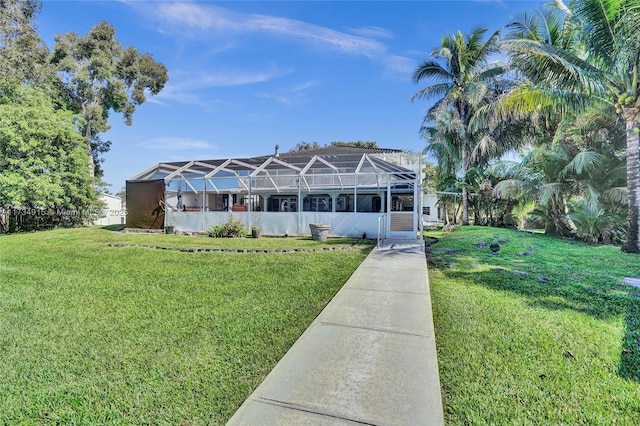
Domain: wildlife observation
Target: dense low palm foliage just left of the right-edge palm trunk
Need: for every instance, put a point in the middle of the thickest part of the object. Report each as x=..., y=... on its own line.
x=577, y=167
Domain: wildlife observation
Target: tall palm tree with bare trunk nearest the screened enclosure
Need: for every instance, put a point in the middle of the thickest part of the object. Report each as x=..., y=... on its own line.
x=462, y=74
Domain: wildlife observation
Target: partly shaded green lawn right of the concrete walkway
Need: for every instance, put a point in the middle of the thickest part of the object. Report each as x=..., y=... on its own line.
x=518, y=349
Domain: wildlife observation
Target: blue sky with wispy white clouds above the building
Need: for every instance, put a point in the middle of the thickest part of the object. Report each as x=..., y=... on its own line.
x=245, y=76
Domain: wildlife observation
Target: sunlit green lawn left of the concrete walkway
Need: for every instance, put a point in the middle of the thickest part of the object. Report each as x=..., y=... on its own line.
x=92, y=334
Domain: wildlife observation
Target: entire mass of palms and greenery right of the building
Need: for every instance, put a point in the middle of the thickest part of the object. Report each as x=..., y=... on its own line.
x=571, y=95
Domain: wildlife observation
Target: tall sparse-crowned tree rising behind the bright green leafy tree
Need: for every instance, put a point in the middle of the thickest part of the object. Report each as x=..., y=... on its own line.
x=100, y=76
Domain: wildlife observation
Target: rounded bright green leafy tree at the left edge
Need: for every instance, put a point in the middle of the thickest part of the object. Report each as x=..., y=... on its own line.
x=43, y=161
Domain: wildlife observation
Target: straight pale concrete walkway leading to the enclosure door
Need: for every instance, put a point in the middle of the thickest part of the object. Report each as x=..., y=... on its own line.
x=368, y=358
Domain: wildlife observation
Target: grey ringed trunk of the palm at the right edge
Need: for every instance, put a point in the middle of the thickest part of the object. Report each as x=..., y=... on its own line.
x=633, y=182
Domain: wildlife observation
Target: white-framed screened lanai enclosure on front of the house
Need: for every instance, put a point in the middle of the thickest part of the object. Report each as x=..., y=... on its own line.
x=356, y=191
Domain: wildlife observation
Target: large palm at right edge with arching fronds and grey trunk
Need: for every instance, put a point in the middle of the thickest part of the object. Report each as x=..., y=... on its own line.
x=601, y=64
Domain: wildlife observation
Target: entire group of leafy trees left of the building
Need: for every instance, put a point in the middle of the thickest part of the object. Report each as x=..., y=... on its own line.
x=54, y=108
